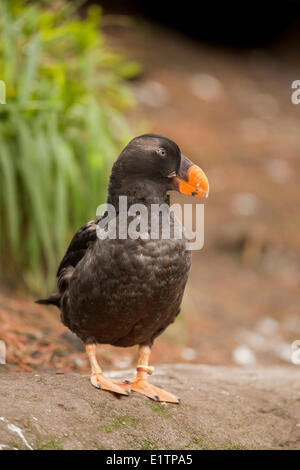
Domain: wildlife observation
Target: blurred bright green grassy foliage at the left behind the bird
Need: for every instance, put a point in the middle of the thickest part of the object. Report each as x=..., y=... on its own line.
x=61, y=127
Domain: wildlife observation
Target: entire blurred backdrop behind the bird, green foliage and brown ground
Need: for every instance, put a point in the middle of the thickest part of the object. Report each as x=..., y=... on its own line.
x=82, y=78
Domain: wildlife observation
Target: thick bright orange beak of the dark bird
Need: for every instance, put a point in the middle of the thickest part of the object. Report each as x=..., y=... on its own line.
x=191, y=180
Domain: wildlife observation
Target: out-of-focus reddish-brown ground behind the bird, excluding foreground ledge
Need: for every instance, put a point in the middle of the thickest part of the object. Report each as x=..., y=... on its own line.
x=248, y=271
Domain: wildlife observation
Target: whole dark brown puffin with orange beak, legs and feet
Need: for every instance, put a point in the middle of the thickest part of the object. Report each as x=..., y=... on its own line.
x=124, y=290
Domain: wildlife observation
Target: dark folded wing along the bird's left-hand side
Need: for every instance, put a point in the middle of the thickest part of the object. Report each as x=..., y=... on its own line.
x=79, y=244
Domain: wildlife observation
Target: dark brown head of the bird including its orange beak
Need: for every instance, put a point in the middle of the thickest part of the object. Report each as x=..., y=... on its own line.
x=154, y=164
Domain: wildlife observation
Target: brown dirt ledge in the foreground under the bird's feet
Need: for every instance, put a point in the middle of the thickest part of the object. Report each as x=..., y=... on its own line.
x=222, y=408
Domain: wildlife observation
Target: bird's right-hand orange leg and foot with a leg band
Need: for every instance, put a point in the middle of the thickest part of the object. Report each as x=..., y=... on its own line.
x=141, y=384
